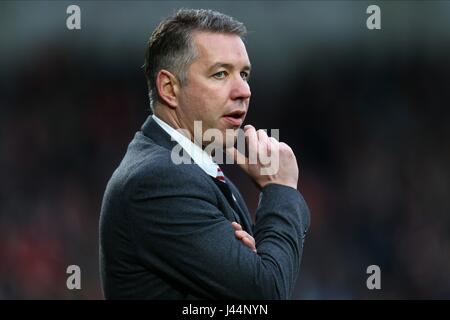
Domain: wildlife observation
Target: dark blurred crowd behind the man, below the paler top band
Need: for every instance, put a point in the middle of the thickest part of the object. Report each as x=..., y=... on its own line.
x=371, y=137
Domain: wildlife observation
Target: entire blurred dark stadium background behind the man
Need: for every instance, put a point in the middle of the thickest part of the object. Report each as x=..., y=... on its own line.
x=366, y=112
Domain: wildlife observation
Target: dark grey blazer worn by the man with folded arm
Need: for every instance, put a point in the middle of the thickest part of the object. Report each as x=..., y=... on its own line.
x=165, y=231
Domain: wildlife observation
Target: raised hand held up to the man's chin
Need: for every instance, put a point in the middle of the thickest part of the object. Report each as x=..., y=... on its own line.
x=261, y=149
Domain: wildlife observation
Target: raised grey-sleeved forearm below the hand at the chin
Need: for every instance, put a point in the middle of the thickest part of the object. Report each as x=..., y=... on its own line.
x=282, y=218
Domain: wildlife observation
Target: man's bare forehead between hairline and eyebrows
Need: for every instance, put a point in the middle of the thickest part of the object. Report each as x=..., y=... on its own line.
x=219, y=47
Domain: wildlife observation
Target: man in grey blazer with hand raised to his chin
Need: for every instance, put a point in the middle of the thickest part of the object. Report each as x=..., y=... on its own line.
x=183, y=231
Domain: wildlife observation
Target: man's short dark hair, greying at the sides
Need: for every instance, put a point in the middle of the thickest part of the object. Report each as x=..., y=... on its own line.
x=170, y=46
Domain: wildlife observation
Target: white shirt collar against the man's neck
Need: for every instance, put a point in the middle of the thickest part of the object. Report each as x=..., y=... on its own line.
x=198, y=155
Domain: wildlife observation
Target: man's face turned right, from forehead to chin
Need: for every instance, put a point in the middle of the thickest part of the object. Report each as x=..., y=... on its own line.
x=216, y=91
